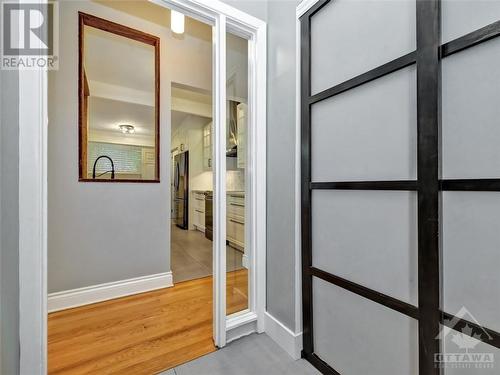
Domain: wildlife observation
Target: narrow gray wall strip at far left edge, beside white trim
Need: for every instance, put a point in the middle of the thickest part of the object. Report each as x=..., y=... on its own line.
x=9, y=224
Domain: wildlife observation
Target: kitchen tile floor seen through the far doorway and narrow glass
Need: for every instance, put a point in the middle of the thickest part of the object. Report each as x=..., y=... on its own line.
x=191, y=256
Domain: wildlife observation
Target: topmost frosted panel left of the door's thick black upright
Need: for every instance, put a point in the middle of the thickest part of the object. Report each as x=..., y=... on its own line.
x=349, y=38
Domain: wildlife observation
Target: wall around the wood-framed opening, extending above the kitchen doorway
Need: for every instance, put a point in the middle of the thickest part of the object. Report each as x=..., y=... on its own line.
x=102, y=232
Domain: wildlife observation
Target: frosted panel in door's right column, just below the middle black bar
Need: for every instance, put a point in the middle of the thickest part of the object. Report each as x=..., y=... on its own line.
x=471, y=255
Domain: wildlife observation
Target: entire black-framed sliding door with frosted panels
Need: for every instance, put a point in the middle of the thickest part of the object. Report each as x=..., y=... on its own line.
x=386, y=245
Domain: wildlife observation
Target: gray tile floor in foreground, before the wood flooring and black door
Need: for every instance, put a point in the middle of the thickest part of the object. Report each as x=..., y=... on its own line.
x=251, y=355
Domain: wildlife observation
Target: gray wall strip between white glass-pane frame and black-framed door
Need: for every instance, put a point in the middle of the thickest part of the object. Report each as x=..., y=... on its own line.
x=281, y=65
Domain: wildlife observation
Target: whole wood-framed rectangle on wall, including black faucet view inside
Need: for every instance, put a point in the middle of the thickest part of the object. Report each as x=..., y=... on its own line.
x=119, y=99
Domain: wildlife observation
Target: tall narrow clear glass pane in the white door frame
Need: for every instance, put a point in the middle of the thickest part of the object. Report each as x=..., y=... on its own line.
x=238, y=251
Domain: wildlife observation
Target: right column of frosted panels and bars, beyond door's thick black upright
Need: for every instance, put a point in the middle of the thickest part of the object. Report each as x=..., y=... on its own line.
x=470, y=197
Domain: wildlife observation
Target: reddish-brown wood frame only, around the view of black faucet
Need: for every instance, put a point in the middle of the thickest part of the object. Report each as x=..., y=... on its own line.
x=85, y=19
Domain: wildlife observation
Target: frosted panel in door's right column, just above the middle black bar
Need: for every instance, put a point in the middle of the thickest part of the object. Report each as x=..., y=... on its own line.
x=471, y=131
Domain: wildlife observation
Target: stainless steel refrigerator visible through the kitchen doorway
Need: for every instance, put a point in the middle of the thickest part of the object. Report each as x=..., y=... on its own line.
x=181, y=189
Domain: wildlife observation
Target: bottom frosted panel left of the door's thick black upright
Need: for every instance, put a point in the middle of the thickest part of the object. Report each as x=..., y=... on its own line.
x=357, y=336
